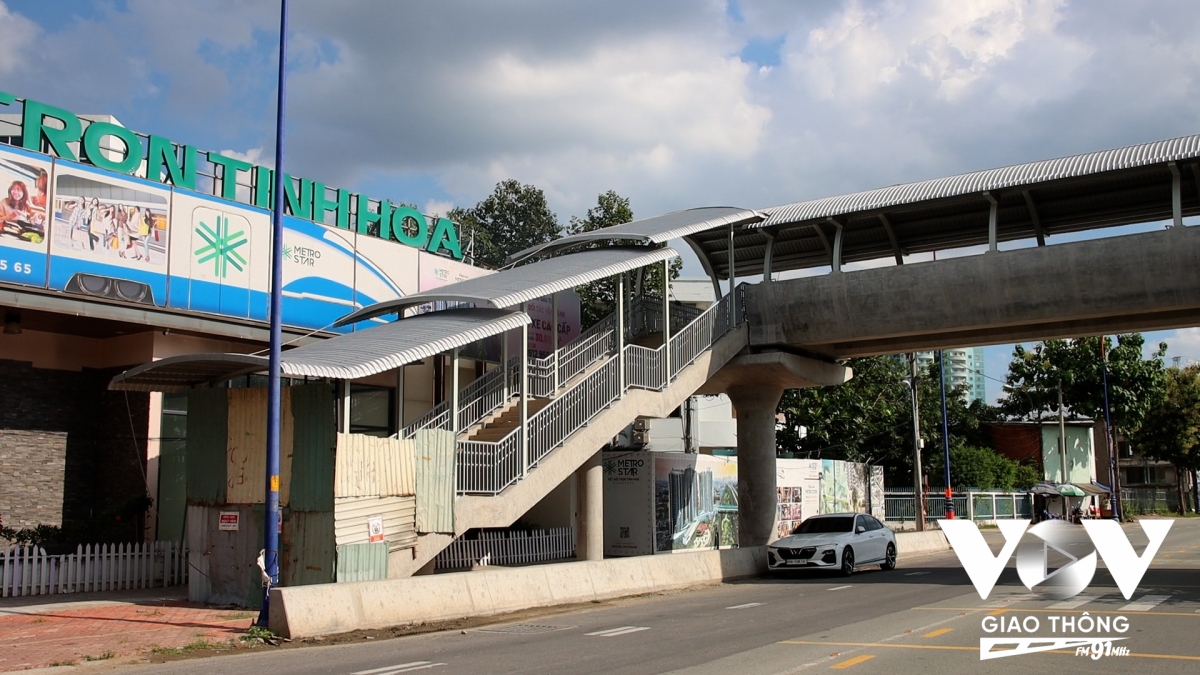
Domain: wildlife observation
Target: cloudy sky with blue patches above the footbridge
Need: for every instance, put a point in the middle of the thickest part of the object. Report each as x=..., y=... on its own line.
x=674, y=104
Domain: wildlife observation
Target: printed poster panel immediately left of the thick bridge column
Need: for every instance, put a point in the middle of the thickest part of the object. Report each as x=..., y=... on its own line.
x=695, y=501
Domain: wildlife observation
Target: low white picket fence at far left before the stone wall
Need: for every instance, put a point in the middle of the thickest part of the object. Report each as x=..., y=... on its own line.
x=29, y=571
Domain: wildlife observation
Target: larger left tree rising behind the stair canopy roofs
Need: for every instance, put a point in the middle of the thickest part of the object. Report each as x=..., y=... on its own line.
x=512, y=219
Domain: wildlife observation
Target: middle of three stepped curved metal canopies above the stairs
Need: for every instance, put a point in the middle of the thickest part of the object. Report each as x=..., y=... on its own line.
x=527, y=283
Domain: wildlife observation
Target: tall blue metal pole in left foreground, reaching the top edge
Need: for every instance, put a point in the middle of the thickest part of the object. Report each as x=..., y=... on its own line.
x=273, y=521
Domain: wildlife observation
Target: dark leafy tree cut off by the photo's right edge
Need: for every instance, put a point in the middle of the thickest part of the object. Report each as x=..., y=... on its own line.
x=1172, y=429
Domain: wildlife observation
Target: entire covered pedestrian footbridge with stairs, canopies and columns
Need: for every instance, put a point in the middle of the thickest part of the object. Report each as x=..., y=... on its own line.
x=530, y=425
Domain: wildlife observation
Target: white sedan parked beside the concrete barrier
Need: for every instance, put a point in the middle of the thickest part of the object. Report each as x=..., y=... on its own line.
x=836, y=541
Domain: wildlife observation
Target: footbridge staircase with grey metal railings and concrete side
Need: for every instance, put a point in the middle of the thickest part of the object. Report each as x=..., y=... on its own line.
x=584, y=396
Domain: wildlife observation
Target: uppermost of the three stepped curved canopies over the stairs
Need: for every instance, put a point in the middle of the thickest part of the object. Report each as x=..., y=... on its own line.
x=658, y=230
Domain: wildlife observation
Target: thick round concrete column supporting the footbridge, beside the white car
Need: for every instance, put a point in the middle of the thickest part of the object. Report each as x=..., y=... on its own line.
x=757, y=405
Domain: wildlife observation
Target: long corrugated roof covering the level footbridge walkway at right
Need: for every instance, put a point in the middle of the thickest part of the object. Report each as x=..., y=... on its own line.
x=1111, y=188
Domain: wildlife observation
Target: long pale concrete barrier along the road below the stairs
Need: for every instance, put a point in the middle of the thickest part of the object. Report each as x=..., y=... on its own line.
x=303, y=612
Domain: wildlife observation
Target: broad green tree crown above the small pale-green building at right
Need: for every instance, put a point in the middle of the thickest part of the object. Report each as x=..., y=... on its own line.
x=1136, y=384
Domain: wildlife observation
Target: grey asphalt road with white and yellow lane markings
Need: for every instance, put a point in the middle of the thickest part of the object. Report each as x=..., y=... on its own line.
x=925, y=617
